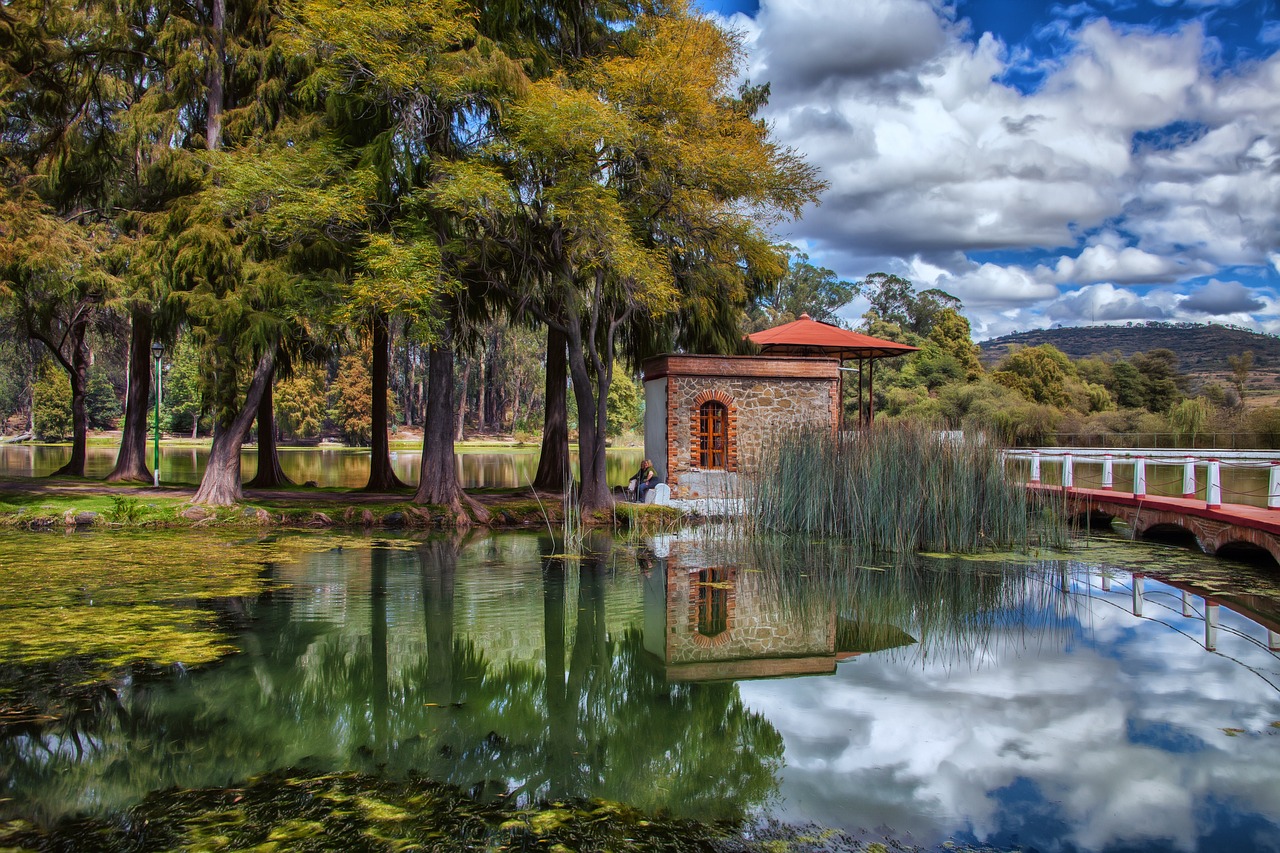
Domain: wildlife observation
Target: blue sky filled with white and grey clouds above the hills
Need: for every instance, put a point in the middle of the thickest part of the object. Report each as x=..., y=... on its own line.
x=1050, y=165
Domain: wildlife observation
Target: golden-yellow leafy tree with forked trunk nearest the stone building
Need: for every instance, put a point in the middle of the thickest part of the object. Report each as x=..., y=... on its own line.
x=634, y=191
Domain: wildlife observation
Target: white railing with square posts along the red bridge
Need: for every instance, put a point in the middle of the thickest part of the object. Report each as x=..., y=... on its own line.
x=1249, y=478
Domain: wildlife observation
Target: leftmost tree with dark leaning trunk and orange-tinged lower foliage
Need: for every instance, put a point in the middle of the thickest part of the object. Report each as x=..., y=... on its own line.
x=58, y=97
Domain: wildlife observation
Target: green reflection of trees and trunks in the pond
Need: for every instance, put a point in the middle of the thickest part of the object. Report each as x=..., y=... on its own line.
x=382, y=694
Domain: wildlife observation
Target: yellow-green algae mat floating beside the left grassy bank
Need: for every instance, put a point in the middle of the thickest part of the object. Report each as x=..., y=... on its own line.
x=122, y=600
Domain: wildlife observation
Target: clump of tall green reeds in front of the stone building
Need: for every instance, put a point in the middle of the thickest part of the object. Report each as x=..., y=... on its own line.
x=898, y=487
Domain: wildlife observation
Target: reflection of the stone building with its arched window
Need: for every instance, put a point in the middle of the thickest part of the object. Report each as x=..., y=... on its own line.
x=721, y=623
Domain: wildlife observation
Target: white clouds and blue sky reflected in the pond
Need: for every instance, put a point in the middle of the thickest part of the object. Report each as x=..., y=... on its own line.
x=1119, y=736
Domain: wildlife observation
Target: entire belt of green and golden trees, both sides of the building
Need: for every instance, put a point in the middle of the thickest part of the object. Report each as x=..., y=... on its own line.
x=340, y=217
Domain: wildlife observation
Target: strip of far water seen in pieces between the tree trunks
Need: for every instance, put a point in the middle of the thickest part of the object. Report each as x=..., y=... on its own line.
x=326, y=467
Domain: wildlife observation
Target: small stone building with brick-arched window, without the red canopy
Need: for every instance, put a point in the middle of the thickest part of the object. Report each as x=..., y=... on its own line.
x=707, y=418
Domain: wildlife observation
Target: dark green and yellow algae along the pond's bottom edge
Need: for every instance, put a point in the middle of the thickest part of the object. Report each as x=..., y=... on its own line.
x=351, y=811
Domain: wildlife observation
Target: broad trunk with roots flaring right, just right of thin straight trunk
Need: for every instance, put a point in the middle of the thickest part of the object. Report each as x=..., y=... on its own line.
x=438, y=477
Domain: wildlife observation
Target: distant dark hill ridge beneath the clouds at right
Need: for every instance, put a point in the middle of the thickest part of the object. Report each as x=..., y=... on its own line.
x=1203, y=349
